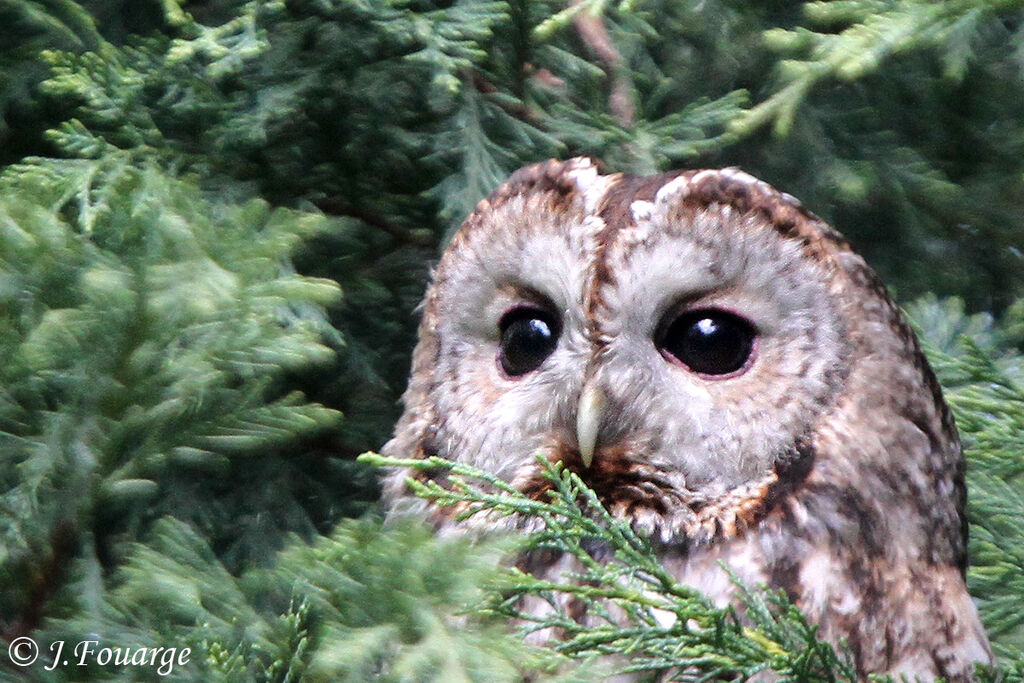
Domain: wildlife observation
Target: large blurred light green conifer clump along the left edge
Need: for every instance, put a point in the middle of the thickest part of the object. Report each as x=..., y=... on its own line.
x=146, y=332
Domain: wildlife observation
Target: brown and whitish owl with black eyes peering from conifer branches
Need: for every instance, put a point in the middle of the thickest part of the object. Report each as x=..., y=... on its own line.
x=729, y=376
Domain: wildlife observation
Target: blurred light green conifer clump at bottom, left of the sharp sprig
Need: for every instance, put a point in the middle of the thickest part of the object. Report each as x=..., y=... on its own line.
x=365, y=604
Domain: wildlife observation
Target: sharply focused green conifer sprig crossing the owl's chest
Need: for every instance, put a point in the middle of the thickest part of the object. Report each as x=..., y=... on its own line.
x=635, y=608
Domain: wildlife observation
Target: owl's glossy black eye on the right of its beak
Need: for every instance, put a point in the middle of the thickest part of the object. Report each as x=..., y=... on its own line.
x=709, y=341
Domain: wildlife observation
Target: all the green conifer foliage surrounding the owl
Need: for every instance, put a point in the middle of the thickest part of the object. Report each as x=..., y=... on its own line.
x=217, y=220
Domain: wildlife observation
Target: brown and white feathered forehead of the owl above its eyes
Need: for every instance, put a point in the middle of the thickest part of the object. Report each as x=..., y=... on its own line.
x=587, y=241
